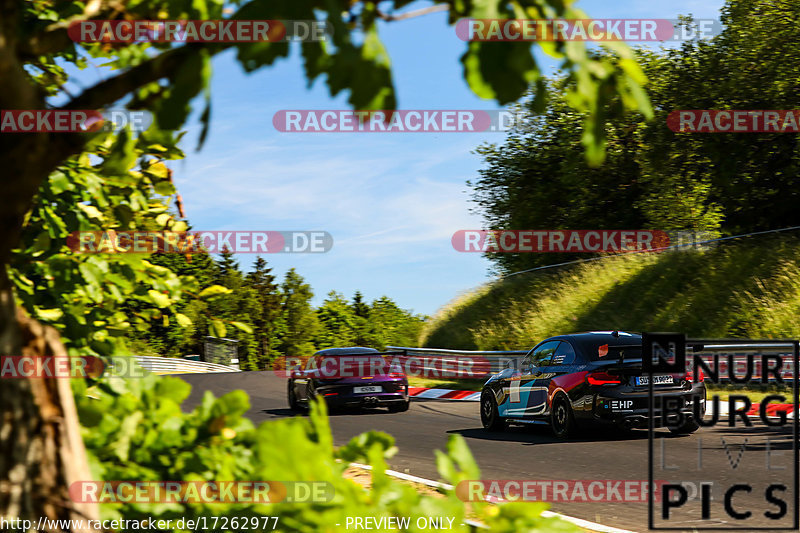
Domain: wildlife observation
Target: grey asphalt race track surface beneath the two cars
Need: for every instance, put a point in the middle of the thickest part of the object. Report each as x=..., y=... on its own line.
x=532, y=453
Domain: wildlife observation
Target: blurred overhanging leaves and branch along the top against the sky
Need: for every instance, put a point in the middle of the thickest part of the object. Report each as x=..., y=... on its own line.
x=355, y=60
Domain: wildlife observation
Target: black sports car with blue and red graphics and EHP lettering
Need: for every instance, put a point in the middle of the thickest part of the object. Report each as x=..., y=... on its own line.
x=595, y=377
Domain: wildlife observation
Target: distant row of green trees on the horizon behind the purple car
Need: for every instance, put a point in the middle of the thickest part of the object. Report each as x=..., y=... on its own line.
x=268, y=319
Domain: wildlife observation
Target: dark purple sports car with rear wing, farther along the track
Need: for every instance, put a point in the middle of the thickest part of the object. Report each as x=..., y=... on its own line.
x=355, y=377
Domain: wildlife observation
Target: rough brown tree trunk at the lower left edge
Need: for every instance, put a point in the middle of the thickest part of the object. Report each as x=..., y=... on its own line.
x=41, y=450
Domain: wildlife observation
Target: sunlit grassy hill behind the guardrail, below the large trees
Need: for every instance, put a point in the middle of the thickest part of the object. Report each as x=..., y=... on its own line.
x=745, y=288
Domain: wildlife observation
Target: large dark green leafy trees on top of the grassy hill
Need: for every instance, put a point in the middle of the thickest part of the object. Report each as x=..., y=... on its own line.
x=652, y=176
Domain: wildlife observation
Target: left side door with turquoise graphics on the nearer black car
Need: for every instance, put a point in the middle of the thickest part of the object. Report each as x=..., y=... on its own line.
x=527, y=389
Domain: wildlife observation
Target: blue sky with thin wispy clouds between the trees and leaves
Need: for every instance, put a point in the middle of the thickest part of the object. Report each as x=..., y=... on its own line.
x=391, y=200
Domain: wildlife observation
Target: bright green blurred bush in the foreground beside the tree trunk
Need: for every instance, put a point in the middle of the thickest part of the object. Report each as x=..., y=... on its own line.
x=135, y=430
